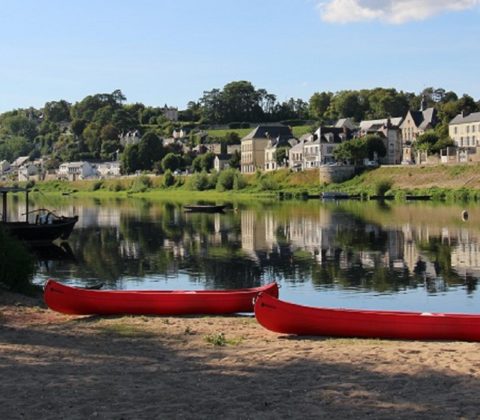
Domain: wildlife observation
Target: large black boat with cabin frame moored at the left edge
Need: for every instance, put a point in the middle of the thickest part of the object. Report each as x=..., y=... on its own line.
x=46, y=227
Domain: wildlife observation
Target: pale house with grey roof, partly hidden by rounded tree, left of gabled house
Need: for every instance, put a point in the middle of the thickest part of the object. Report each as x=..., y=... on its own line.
x=389, y=130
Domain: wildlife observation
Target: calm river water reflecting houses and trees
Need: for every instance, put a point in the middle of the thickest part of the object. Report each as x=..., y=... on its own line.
x=414, y=256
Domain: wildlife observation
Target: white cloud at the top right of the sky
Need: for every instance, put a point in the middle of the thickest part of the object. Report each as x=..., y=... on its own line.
x=391, y=11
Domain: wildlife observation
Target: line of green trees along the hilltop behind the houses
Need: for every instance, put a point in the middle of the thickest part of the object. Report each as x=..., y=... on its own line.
x=90, y=129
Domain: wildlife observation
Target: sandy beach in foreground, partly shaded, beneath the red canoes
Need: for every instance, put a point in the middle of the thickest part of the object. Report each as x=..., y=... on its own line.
x=54, y=366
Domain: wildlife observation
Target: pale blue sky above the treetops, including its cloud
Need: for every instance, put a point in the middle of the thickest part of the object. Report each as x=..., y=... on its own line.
x=161, y=52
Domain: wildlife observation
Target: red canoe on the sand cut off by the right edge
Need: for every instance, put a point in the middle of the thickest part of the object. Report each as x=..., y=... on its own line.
x=288, y=318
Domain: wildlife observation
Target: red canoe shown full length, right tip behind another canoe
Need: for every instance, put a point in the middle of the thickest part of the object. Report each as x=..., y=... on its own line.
x=78, y=301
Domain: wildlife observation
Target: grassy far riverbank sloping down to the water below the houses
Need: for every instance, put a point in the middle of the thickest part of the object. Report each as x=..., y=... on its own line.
x=441, y=182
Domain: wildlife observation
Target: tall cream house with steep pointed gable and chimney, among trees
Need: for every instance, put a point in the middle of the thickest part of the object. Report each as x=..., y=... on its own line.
x=414, y=124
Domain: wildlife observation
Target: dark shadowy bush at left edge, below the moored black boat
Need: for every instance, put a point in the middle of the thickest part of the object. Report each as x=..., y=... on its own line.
x=17, y=267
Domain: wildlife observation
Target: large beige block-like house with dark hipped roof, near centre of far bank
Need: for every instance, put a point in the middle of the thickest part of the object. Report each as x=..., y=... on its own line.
x=254, y=144
